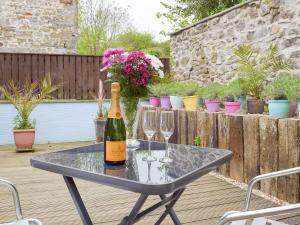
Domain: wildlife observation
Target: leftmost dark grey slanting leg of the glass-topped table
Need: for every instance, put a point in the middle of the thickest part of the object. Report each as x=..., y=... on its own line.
x=78, y=201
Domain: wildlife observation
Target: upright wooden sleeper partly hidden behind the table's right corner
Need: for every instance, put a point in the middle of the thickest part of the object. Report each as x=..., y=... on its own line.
x=223, y=139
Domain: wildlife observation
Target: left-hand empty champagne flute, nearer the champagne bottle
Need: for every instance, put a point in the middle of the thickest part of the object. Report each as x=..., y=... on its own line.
x=149, y=127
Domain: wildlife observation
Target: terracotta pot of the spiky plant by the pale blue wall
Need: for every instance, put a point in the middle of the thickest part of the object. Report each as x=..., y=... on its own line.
x=24, y=139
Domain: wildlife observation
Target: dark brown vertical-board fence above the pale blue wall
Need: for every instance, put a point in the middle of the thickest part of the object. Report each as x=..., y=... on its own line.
x=78, y=75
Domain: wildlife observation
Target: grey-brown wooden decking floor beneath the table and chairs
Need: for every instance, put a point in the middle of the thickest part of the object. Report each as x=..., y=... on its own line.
x=44, y=195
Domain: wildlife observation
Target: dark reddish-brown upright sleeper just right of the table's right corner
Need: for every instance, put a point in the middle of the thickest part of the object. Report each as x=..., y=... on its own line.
x=236, y=145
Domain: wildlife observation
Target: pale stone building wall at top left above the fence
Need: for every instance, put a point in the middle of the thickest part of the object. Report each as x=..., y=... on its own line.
x=38, y=26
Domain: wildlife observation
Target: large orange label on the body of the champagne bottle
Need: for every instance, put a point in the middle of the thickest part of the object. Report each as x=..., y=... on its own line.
x=115, y=150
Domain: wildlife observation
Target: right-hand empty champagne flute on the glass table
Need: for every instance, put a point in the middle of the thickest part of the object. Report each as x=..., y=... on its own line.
x=167, y=130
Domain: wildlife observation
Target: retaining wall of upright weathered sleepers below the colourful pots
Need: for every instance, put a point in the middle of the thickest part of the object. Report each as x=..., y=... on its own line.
x=260, y=144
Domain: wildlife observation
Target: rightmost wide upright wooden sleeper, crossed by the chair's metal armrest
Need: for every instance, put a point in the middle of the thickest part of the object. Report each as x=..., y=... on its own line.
x=289, y=157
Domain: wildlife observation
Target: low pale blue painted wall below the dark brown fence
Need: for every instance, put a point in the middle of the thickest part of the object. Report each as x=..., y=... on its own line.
x=55, y=122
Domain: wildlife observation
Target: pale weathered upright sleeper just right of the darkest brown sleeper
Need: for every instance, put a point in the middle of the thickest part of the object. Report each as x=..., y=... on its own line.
x=251, y=146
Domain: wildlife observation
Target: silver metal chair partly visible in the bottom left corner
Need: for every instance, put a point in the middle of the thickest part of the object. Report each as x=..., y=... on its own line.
x=20, y=220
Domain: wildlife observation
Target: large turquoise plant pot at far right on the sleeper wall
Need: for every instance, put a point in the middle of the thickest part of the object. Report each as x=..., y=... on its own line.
x=279, y=108
